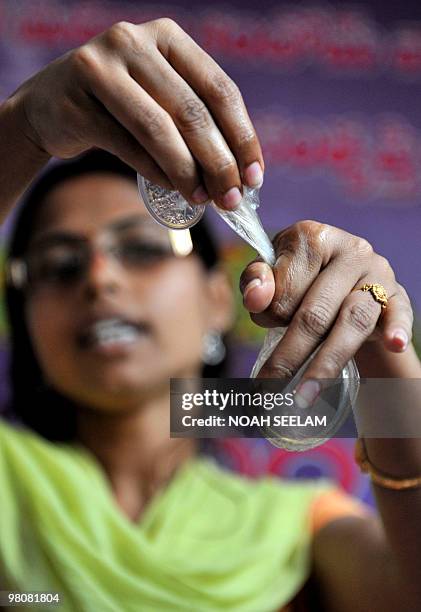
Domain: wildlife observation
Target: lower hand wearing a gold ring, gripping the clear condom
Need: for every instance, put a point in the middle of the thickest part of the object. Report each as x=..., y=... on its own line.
x=311, y=290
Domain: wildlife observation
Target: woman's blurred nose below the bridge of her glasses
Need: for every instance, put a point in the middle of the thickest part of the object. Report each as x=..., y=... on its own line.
x=103, y=275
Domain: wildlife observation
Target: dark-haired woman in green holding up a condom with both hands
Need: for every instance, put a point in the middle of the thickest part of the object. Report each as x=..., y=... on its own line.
x=121, y=516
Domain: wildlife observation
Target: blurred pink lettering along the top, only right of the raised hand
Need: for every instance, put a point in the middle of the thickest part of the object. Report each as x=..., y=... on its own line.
x=339, y=40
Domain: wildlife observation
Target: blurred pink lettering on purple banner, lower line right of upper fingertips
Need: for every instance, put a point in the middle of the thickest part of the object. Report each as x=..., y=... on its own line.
x=381, y=162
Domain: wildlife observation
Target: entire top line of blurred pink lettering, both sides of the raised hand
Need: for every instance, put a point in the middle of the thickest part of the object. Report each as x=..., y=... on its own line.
x=342, y=40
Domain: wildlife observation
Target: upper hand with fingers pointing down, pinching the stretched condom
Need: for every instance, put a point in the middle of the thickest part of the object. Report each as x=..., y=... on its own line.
x=150, y=95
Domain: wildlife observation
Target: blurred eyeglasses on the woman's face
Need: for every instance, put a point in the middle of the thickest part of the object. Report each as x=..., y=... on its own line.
x=62, y=261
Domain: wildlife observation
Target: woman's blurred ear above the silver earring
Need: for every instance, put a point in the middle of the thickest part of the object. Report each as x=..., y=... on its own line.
x=220, y=299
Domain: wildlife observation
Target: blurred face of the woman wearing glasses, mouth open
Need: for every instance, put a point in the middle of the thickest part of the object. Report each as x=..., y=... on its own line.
x=123, y=328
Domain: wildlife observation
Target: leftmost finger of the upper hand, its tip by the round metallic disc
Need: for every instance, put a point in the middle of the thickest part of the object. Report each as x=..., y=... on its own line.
x=150, y=125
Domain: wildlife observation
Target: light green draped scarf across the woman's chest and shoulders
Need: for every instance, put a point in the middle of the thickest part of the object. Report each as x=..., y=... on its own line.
x=212, y=540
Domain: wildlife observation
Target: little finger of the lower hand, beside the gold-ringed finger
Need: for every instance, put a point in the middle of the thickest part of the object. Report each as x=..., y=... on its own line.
x=396, y=322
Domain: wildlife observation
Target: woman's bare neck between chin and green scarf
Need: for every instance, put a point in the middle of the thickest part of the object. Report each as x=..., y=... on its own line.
x=135, y=450
